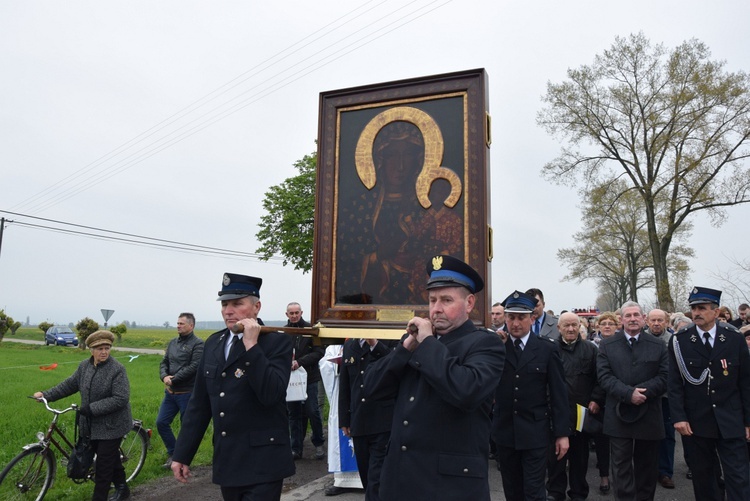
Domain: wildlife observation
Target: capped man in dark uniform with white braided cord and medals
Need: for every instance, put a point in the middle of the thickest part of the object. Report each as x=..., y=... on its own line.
x=709, y=395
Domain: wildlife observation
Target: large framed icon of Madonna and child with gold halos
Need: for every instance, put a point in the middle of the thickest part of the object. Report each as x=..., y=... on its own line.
x=403, y=174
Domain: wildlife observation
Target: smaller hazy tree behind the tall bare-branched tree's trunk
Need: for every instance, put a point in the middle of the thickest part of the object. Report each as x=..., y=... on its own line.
x=613, y=248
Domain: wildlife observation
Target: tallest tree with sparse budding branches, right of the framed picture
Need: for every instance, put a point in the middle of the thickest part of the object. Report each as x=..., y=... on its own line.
x=674, y=125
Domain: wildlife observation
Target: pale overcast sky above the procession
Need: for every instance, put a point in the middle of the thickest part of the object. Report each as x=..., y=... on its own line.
x=170, y=119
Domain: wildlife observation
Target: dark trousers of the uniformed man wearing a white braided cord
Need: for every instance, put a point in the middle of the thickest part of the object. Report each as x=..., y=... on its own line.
x=701, y=453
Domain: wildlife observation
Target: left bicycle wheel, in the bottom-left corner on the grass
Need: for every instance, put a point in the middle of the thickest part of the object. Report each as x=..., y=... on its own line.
x=28, y=476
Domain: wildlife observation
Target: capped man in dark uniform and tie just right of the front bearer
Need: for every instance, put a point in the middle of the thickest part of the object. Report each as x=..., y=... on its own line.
x=531, y=404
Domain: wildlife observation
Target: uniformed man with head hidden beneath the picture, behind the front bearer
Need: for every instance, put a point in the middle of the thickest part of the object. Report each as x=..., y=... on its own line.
x=367, y=421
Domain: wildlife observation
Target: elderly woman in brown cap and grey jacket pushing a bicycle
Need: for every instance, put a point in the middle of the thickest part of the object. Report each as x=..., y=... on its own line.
x=105, y=411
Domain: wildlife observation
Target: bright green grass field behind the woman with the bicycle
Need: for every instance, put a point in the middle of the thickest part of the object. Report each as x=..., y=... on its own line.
x=22, y=417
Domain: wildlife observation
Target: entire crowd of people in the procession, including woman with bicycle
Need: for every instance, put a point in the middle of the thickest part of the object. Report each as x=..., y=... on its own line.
x=426, y=414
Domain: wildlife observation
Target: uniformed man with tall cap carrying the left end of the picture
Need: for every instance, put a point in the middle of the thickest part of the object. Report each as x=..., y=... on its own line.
x=241, y=384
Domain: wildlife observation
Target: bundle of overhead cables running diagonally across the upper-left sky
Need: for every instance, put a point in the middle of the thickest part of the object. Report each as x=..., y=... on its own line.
x=48, y=198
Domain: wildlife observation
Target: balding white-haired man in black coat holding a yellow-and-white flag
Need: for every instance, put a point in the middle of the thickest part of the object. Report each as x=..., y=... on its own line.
x=579, y=364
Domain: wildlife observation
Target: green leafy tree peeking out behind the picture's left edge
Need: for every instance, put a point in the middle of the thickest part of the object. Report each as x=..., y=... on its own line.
x=286, y=228
